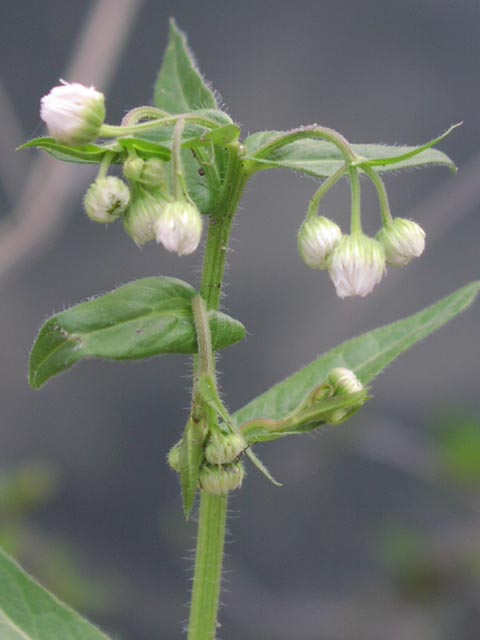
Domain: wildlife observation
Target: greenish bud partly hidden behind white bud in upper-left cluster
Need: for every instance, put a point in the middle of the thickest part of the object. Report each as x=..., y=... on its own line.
x=143, y=214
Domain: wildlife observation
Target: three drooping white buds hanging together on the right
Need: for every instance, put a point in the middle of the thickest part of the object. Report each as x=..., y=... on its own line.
x=356, y=262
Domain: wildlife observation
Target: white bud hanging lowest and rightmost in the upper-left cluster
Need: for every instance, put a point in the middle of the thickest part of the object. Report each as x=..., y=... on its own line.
x=179, y=228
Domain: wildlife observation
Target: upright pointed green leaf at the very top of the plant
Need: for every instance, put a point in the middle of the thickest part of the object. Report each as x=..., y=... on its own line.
x=180, y=87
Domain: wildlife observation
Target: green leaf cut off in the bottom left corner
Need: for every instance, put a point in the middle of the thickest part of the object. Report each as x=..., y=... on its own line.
x=29, y=612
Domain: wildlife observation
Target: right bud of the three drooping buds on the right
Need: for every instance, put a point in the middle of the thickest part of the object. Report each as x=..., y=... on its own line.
x=402, y=240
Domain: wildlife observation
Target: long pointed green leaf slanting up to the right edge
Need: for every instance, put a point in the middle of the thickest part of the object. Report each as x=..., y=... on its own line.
x=366, y=355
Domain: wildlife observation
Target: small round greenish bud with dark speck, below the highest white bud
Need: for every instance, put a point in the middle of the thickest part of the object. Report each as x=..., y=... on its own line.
x=106, y=199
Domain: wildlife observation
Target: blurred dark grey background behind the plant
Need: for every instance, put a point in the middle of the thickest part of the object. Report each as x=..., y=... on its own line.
x=375, y=533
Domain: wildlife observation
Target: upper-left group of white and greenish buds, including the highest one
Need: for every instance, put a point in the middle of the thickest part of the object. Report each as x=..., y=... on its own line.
x=74, y=115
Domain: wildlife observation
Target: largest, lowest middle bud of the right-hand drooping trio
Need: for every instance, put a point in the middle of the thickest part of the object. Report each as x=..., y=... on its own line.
x=356, y=265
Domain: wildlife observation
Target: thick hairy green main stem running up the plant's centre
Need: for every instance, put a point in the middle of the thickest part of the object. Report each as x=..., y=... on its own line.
x=213, y=509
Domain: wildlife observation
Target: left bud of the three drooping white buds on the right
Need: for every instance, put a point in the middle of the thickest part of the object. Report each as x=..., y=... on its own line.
x=316, y=239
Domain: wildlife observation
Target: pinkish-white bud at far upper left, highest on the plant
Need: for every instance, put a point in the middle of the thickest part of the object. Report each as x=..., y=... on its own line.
x=73, y=113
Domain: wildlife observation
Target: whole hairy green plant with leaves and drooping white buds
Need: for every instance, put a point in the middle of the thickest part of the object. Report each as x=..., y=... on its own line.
x=183, y=161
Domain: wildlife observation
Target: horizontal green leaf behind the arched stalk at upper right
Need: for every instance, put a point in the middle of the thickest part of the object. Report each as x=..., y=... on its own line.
x=322, y=159
